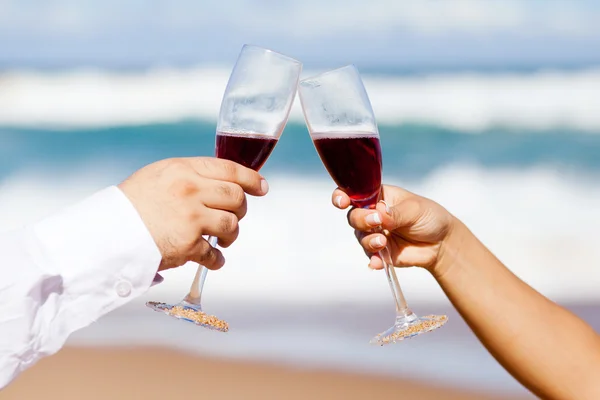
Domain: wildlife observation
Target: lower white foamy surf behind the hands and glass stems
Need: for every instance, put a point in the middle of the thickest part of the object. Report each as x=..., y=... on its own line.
x=295, y=247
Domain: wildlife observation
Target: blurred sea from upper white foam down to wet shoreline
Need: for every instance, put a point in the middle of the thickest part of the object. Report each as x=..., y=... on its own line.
x=516, y=155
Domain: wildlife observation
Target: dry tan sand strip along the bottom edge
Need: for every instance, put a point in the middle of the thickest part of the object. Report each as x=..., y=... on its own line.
x=156, y=373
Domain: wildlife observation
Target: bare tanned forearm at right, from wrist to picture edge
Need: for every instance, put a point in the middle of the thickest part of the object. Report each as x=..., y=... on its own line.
x=544, y=346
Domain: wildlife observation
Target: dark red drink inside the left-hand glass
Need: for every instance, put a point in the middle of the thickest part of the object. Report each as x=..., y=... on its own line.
x=250, y=151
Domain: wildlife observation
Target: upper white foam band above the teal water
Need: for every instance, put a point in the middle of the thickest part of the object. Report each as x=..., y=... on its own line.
x=467, y=102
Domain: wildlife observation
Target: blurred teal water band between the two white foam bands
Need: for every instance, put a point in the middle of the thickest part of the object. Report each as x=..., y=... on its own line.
x=410, y=151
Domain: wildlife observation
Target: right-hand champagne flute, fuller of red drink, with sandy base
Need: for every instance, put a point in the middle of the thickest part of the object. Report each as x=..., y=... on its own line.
x=342, y=125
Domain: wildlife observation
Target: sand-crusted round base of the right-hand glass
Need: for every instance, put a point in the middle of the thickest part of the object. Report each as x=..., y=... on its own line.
x=409, y=326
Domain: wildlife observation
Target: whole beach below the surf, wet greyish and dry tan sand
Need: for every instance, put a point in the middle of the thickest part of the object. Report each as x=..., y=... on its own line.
x=134, y=353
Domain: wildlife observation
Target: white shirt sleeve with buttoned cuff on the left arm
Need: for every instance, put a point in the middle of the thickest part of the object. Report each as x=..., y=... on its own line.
x=66, y=271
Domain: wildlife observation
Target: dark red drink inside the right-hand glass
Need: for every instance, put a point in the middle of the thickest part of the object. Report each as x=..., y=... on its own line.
x=354, y=163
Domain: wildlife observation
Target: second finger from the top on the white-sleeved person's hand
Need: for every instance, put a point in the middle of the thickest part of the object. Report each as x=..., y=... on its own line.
x=225, y=196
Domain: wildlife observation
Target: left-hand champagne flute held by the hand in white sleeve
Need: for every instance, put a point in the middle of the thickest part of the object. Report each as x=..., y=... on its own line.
x=254, y=111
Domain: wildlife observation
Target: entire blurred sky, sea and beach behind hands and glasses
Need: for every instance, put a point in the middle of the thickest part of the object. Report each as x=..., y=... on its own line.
x=490, y=107
